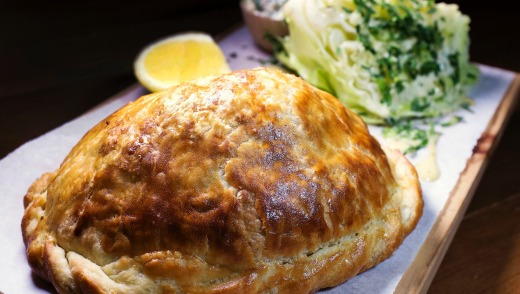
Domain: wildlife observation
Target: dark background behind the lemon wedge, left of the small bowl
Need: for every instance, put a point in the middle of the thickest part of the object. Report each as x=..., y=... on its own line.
x=60, y=58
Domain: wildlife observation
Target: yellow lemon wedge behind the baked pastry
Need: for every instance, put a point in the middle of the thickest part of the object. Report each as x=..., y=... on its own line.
x=179, y=58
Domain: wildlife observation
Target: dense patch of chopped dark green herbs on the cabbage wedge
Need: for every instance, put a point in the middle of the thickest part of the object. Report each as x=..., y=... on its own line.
x=401, y=24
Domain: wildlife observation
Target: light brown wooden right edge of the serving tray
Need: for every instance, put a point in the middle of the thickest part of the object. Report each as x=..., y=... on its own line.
x=418, y=277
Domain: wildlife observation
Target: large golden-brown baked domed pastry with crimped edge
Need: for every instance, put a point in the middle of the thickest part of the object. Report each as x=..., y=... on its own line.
x=253, y=181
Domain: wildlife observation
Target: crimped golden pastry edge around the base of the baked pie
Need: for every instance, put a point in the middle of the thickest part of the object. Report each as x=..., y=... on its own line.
x=70, y=272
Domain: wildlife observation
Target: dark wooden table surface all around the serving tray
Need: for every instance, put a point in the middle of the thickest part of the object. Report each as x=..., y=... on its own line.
x=60, y=60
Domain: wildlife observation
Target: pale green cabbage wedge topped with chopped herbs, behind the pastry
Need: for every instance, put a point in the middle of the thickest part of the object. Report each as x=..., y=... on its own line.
x=388, y=60
